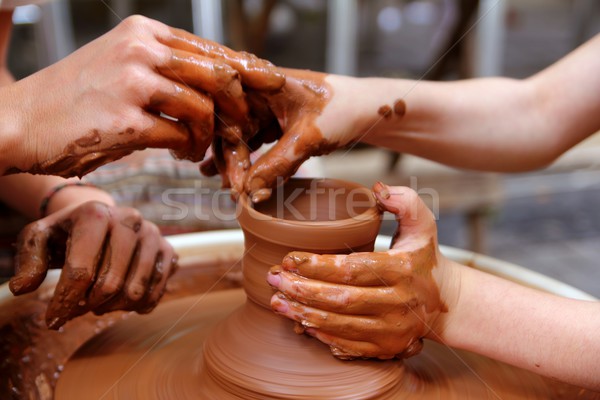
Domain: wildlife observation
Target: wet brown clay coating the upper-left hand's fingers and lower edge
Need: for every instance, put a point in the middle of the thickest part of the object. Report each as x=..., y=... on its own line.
x=201, y=73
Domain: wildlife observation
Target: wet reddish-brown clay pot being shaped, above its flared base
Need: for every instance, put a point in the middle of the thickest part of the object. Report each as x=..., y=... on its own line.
x=314, y=215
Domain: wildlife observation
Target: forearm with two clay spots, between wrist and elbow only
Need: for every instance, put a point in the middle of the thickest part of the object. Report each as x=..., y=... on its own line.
x=484, y=124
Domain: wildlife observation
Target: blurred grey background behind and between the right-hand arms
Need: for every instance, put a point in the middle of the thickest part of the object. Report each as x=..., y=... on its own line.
x=546, y=221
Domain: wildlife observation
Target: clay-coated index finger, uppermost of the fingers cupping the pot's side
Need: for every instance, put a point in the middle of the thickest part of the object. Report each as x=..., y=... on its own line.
x=357, y=269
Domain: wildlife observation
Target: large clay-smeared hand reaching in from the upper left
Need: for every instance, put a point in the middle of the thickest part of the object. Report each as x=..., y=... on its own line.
x=141, y=85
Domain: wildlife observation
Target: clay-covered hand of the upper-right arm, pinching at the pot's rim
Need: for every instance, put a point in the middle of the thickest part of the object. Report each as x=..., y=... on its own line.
x=290, y=117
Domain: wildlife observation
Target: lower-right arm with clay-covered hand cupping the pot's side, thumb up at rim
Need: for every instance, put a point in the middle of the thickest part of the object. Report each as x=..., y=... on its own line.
x=383, y=304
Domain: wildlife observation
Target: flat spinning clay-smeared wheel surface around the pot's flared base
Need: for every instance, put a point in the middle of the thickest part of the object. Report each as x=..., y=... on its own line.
x=160, y=356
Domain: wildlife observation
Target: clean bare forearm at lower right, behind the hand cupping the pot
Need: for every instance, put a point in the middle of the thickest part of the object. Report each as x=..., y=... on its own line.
x=534, y=330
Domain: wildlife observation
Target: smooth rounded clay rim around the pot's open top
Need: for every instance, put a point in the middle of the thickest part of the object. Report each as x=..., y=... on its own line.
x=352, y=229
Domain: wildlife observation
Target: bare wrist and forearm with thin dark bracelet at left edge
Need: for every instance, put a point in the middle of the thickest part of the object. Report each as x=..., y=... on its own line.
x=25, y=193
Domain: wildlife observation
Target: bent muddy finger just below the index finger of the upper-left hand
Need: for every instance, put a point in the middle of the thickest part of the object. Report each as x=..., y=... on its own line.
x=211, y=76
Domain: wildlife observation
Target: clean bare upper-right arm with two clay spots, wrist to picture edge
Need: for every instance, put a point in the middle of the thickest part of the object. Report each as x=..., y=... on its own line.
x=487, y=124
